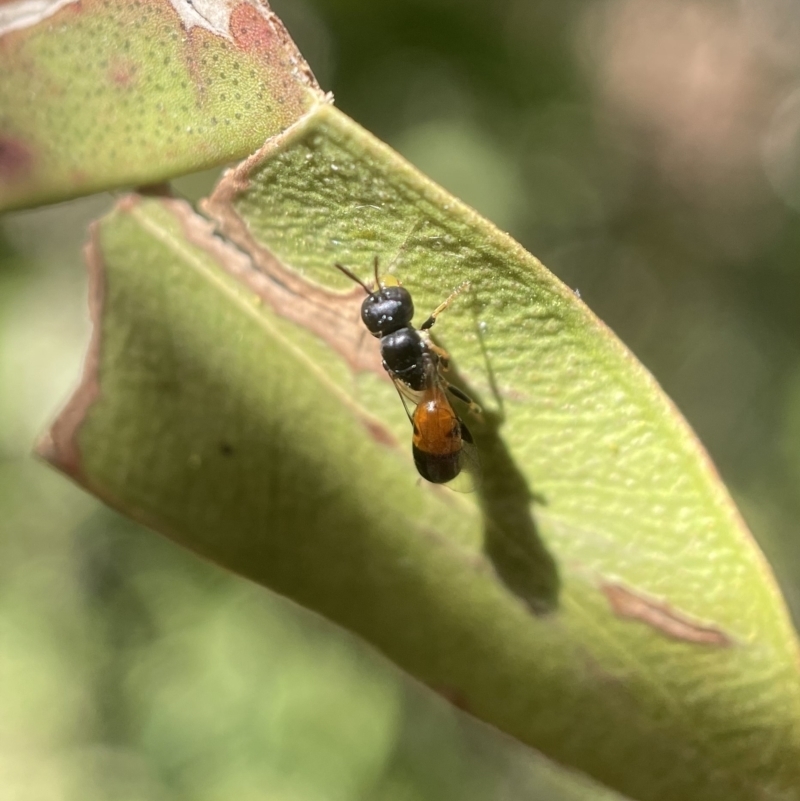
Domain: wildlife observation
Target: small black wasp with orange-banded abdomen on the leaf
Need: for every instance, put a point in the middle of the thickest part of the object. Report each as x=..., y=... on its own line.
x=442, y=445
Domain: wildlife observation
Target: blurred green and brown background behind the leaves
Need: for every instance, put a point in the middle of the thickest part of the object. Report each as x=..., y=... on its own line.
x=648, y=151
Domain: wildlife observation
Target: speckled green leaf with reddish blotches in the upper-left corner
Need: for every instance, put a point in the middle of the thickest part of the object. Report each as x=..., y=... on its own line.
x=96, y=95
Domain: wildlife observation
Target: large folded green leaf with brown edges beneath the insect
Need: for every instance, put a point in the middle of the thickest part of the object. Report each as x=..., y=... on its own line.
x=599, y=598
